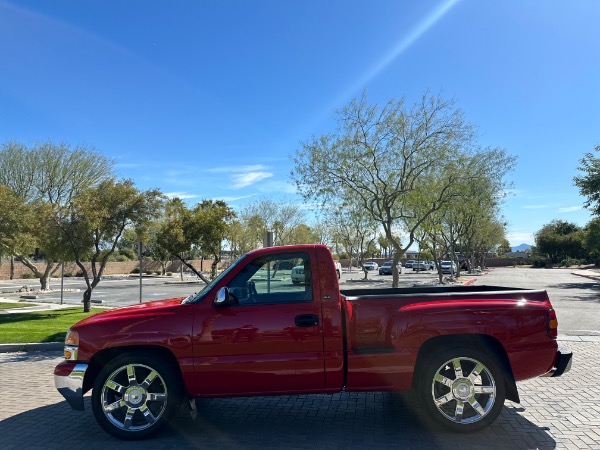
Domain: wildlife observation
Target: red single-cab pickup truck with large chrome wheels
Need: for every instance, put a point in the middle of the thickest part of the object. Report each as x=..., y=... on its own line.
x=252, y=331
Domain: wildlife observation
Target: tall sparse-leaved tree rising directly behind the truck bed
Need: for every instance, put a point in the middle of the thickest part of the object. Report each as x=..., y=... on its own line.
x=395, y=162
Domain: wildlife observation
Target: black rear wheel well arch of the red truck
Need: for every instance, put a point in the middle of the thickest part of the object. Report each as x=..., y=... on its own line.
x=482, y=342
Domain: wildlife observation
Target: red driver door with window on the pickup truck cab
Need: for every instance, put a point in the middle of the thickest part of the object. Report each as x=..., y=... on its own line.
x=271, y=340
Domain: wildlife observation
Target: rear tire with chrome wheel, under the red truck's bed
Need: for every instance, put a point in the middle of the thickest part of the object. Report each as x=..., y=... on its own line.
x=461, y=389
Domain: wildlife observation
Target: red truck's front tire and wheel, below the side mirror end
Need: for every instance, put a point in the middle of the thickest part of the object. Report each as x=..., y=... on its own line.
x=135, y=395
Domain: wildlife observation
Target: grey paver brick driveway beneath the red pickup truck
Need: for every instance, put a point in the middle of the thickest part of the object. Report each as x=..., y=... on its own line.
x=562, y=412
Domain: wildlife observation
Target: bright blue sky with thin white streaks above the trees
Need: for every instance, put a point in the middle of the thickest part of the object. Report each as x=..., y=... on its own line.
x=208, y=99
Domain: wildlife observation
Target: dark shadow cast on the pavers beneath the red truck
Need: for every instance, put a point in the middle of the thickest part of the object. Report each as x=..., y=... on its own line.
x=345, y=420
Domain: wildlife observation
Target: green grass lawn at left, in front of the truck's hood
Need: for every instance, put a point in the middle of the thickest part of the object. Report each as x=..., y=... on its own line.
x=40, y=326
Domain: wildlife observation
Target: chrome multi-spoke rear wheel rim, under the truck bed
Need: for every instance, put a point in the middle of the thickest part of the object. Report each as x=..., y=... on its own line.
x=463, y=390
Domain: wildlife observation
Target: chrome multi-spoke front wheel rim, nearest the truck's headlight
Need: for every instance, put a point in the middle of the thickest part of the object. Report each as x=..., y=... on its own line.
x=134, y=397
